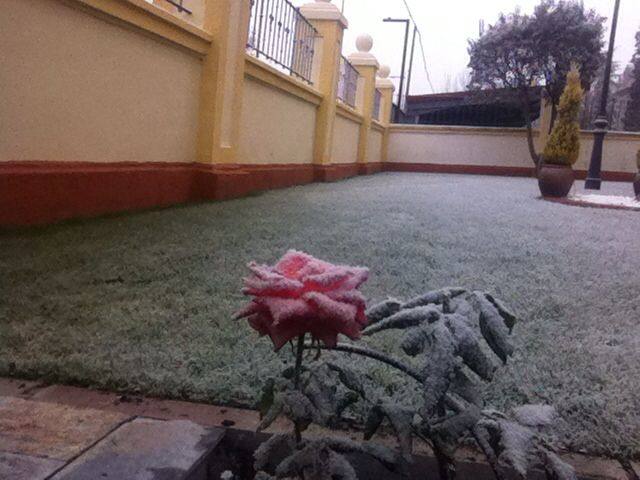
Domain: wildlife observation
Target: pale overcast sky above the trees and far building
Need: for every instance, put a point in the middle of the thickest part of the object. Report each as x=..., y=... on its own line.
x=447, y=24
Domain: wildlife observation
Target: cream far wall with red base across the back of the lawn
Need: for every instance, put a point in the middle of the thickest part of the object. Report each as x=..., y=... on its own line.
x=498, y=151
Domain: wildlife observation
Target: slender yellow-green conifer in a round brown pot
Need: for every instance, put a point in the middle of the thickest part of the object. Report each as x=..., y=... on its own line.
x=556, y=177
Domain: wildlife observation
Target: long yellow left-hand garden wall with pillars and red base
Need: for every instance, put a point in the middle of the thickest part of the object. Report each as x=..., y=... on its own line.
x=114, y=105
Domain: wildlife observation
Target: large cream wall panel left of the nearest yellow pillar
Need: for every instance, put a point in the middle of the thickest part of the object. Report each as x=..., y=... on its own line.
x=76, y=88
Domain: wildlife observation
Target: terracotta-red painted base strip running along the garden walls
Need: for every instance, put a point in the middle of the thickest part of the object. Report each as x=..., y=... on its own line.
x=36, y=193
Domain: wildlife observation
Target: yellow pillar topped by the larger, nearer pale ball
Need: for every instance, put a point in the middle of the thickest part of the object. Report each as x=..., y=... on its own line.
x=367, y=67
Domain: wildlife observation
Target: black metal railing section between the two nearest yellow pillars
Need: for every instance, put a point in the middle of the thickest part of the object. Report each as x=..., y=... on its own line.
x=280, y=33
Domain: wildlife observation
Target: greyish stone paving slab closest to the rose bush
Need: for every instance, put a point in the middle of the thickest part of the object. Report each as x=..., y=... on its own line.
x=146, y=449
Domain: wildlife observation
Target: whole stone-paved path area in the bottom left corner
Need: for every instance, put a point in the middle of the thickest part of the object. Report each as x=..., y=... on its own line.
x=41, y=440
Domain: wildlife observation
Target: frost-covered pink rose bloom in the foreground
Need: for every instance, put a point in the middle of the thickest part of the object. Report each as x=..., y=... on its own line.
x=302, y=294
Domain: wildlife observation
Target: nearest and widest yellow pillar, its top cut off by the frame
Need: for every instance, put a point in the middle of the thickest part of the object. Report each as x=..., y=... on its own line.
x=221, y=88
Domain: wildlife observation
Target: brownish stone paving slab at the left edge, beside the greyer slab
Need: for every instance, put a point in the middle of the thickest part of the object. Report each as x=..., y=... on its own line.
x=51, y=430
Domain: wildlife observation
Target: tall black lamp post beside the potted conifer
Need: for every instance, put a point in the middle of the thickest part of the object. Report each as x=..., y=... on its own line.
x=594, y=181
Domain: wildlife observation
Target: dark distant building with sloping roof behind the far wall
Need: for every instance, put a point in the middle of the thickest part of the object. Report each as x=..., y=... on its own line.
x=499, y=108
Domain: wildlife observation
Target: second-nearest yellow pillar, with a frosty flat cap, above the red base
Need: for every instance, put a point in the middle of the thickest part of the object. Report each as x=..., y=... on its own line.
x=330, y=24
